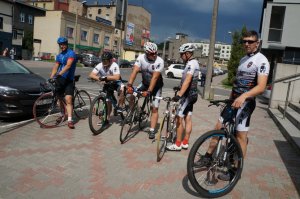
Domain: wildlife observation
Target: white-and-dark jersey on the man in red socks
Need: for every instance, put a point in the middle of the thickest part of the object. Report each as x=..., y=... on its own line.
x=192, y=68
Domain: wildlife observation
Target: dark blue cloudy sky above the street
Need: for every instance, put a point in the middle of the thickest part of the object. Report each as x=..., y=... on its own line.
x=193, y=17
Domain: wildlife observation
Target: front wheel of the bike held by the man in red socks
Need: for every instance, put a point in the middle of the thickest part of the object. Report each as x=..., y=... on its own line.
x=162, y=138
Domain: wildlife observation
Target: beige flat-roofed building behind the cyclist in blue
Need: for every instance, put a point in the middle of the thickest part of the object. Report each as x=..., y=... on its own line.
x=90, y=36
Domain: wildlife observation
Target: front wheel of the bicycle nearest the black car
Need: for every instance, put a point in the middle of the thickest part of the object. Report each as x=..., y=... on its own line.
x=48, y=115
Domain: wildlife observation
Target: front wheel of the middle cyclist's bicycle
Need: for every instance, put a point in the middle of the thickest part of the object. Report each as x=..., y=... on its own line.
x=127, y=123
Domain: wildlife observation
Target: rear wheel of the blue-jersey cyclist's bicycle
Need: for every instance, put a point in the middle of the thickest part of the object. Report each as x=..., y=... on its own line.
x=82, y=103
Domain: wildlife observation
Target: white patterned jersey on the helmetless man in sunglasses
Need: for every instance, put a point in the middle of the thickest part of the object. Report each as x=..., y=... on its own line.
x=249, y=69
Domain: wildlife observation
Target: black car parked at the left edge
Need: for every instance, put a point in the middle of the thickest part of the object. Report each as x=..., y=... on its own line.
x=19, y=88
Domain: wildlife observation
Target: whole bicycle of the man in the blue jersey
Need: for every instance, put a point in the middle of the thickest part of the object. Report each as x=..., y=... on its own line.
x=49, y=110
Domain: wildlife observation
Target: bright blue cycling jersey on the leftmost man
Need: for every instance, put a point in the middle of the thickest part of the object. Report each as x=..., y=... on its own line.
x=62, y=58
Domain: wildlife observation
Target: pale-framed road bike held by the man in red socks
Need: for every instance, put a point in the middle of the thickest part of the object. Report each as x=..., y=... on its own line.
x=167, y=129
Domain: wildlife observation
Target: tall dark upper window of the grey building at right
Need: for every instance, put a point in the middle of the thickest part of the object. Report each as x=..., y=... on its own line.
x=276, y=23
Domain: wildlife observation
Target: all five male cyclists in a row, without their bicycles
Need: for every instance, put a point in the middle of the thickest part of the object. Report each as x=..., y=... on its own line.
x=251, y=79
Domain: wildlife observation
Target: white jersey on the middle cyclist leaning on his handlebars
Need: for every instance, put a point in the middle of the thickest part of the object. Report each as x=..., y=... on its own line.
x=148, y=67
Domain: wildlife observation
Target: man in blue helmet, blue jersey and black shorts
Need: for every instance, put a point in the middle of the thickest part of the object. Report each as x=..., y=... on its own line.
x=64, y=71
